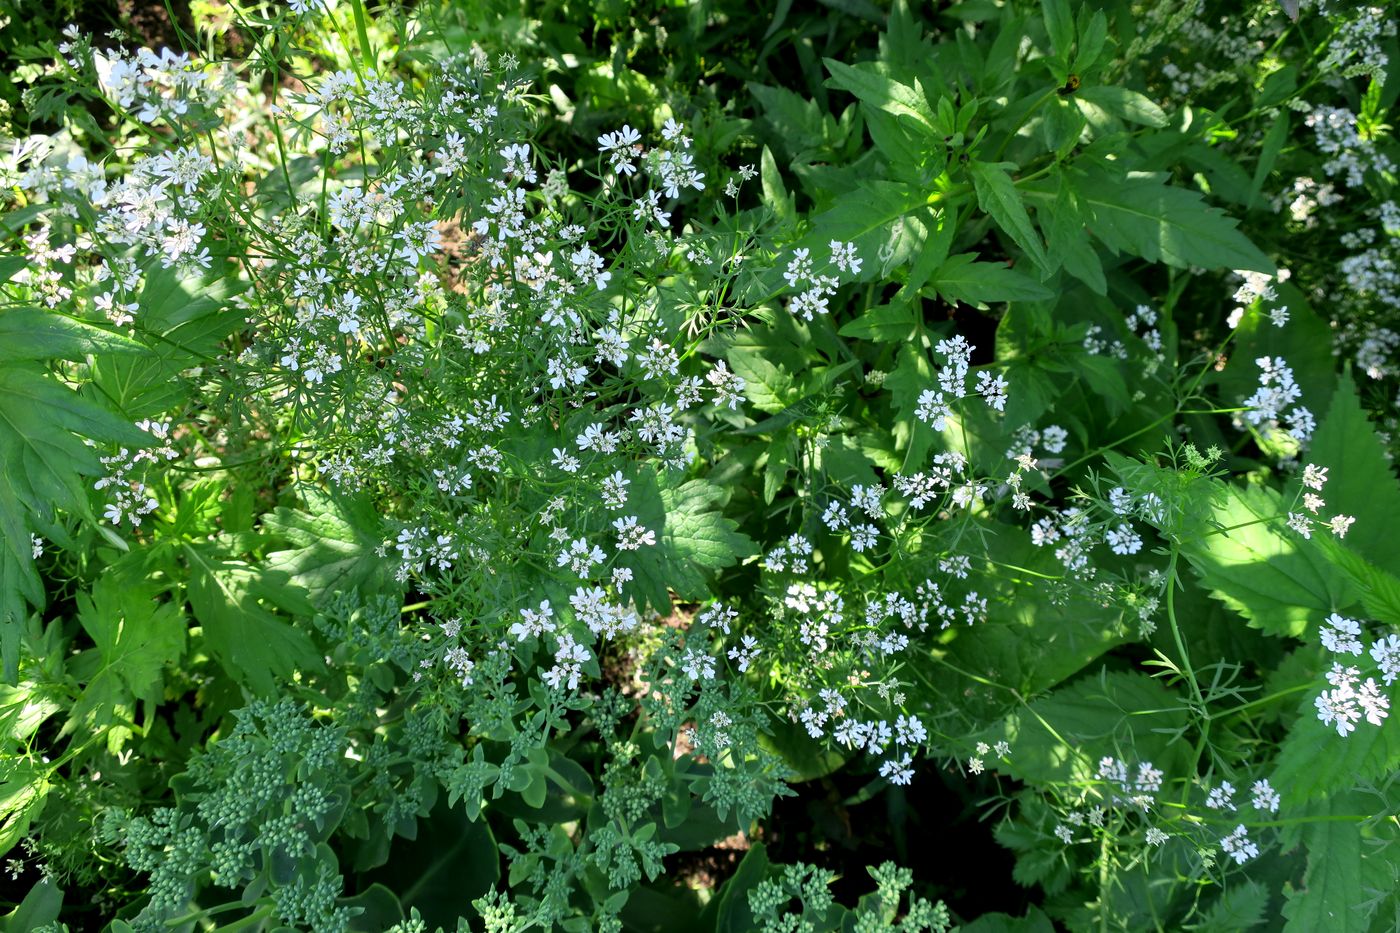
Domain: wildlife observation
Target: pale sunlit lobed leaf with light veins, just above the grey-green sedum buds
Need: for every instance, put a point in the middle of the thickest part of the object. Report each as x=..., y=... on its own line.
x=334, y=546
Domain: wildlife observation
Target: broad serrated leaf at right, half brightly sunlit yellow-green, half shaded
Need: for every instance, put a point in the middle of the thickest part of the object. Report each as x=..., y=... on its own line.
x=1279, y=582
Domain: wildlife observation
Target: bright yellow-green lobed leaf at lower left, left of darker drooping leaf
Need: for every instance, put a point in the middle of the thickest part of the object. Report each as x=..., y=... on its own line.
x=135, y=640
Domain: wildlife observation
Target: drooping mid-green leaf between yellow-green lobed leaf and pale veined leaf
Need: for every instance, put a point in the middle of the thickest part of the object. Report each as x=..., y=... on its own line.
x=253, y=644
